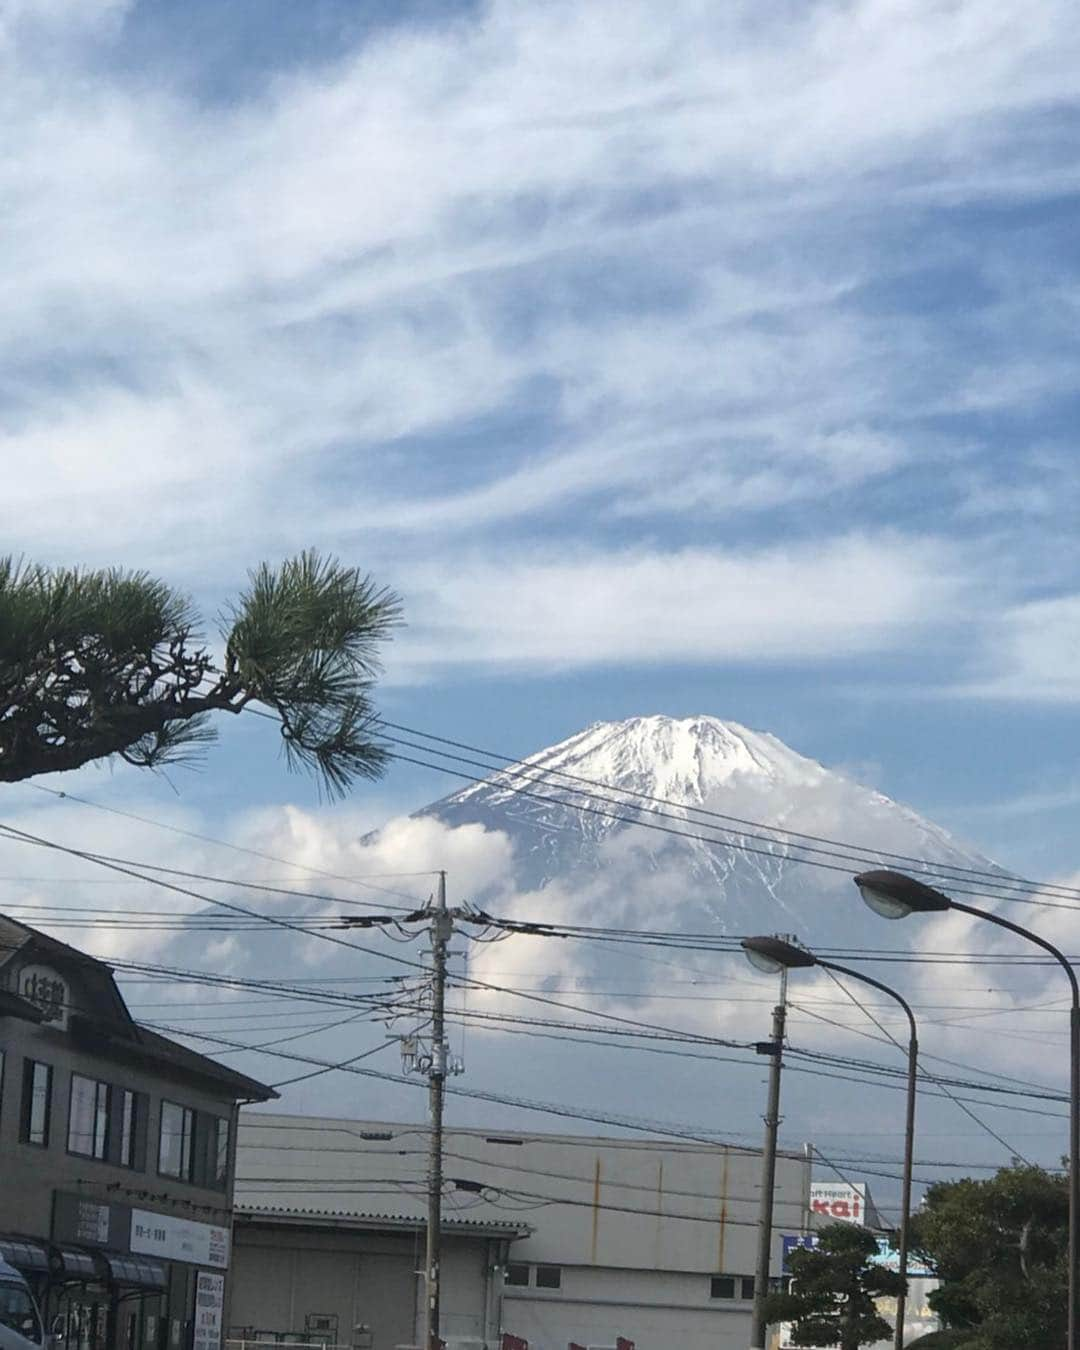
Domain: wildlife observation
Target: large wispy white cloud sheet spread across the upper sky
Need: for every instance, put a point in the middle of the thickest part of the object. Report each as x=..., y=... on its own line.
x=219, y=311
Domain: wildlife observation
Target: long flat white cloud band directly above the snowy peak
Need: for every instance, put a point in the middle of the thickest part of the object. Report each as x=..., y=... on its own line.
x=580, y=608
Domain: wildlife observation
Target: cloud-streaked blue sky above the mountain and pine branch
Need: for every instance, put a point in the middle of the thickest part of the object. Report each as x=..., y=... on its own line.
x=680, y=358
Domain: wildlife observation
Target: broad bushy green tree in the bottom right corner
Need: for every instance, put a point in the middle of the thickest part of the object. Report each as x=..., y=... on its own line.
x=1001, y=1251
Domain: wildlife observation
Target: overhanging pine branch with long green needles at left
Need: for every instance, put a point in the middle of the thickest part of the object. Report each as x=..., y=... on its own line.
x=102, y=664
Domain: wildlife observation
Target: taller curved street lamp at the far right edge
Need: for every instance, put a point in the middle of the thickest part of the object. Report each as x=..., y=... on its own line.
x=894, y=897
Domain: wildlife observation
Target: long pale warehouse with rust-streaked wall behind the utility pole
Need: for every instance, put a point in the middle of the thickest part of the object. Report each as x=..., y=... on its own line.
x=651, y=1243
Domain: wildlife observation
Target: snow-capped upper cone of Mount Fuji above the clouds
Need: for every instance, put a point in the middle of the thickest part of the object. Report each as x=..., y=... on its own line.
x=653, y=823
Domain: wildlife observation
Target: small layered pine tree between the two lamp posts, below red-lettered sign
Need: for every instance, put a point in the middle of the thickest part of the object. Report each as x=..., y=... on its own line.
x=834, y=1291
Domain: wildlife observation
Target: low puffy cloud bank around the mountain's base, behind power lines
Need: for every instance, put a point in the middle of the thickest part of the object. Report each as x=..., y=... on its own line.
x=639, y=885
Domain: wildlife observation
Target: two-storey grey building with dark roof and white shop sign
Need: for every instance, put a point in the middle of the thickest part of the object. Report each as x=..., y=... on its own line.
x=117, y=1158
